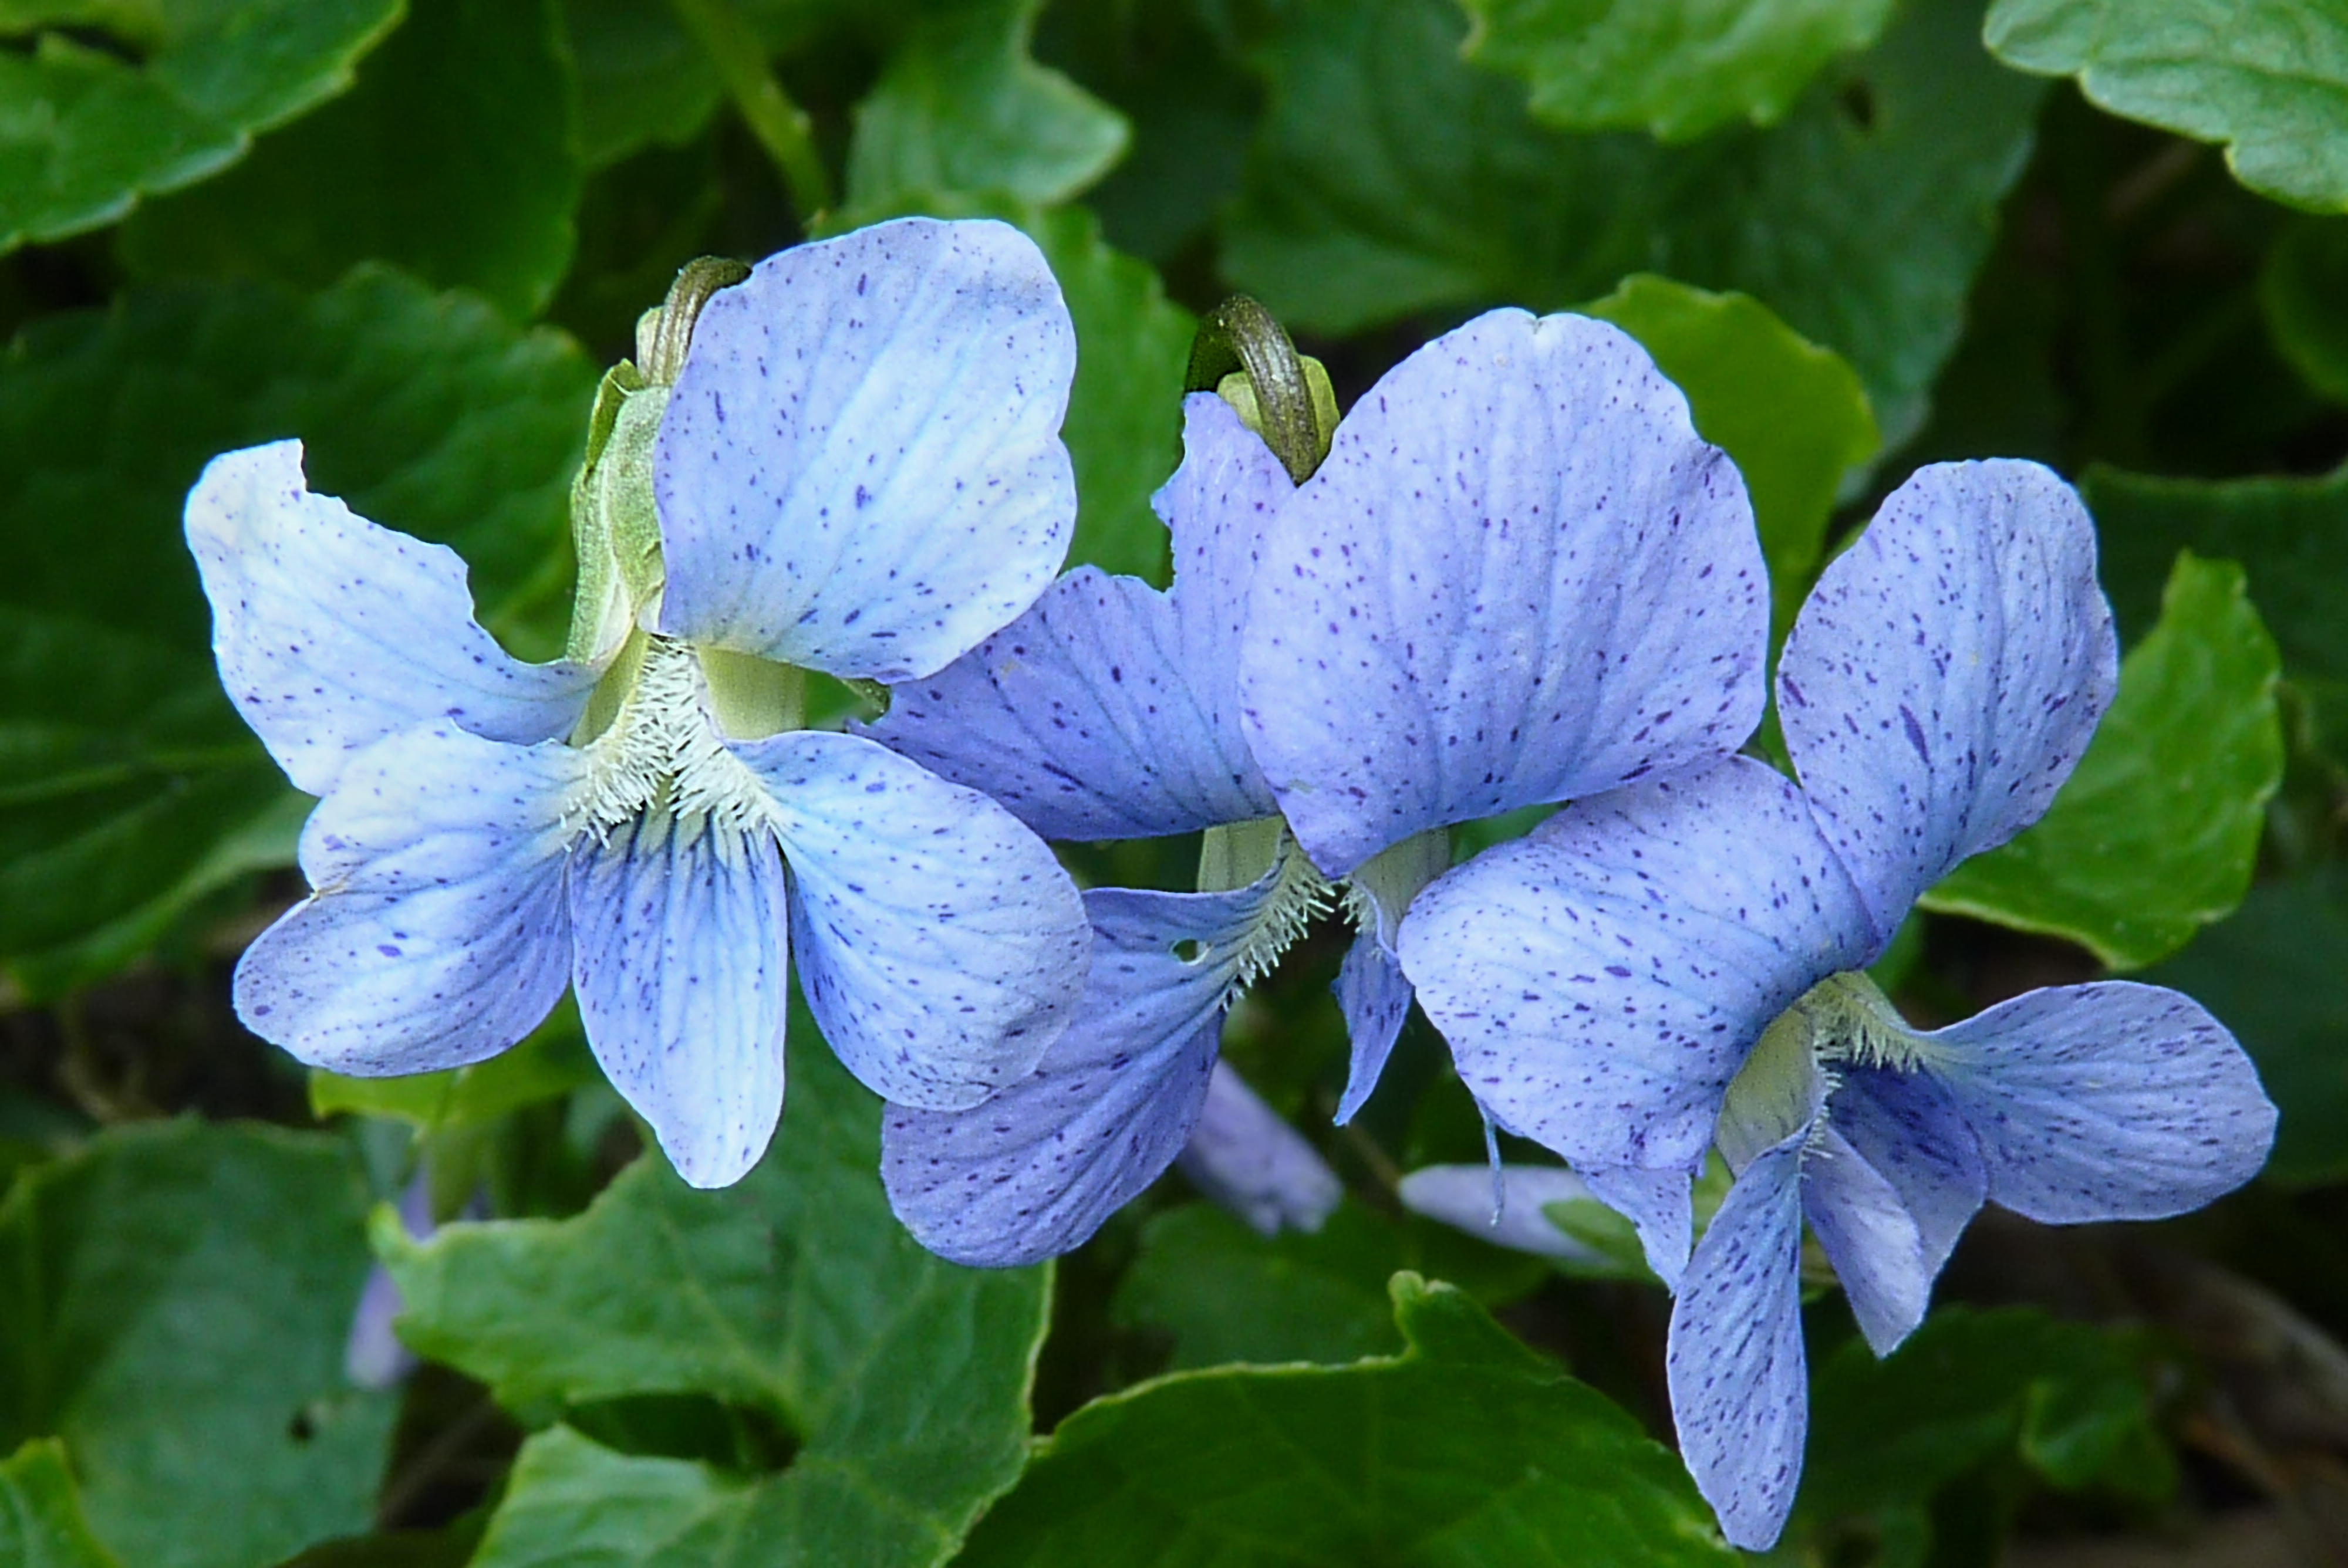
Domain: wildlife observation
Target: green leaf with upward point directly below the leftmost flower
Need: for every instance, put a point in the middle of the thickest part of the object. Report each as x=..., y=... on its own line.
x=792, y=1295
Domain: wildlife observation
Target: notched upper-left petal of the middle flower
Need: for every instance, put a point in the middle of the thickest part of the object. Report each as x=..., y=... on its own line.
x=1114, y=710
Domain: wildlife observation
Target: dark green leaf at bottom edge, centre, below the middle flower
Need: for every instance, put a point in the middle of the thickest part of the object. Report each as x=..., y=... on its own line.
x=1464, y=1449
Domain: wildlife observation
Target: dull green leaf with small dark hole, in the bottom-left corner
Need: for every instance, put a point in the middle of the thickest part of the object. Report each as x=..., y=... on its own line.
x=180, y=1297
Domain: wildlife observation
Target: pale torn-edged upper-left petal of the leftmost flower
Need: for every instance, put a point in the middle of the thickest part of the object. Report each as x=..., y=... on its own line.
x=335, y=633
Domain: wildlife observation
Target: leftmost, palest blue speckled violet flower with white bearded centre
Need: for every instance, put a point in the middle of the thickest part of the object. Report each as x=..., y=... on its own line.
x=856, y=471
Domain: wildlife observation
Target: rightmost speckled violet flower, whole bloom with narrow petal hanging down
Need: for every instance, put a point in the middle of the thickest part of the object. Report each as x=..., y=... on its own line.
x=1680, y=964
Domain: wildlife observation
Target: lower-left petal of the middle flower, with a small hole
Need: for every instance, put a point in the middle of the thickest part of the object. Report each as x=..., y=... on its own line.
x=1105, y=1114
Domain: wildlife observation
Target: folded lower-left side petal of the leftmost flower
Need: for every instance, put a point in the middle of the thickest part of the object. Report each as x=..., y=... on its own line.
x=436, y=933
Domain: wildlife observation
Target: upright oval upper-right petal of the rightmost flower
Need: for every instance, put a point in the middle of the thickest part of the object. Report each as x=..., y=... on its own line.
x=1948, y=673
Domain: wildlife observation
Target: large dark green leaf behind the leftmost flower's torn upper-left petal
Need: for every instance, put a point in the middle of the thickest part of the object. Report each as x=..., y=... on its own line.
x=128, y=785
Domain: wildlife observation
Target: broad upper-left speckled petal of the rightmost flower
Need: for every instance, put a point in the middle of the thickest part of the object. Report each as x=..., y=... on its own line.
x=1603, y=980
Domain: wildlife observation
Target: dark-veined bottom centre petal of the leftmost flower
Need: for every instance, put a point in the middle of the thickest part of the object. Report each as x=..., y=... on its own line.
x=684, y=982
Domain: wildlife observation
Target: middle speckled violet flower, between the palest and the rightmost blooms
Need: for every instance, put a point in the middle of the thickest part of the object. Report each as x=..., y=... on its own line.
x=1518, y=576
